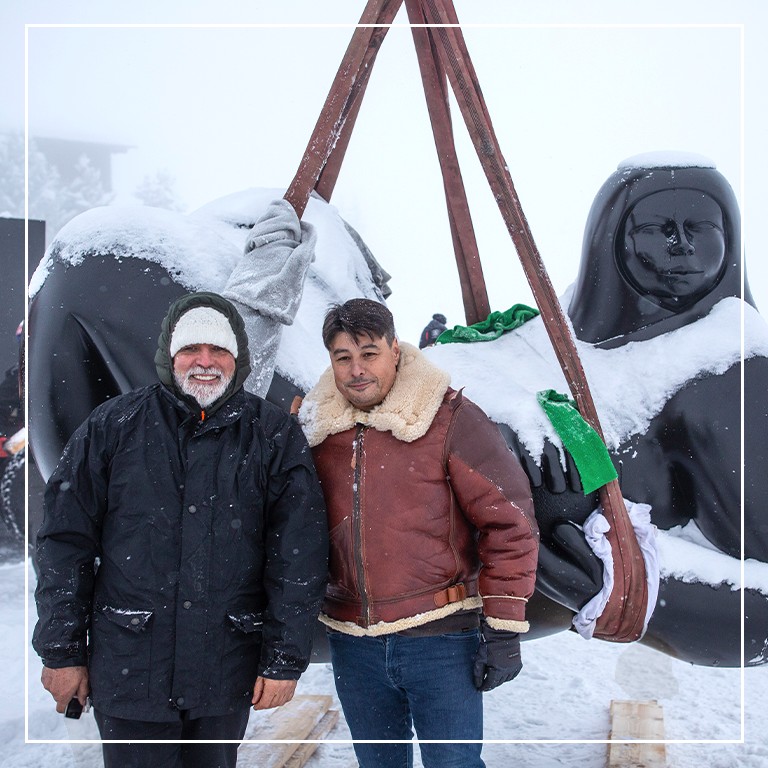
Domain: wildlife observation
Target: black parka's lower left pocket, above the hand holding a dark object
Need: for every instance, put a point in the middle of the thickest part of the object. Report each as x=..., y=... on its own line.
x=121, y=654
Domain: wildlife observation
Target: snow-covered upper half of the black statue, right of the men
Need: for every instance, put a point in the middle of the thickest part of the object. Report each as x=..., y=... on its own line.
x=657, y=311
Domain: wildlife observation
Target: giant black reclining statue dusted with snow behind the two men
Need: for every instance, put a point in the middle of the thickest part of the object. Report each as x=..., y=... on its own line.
x=107, y=282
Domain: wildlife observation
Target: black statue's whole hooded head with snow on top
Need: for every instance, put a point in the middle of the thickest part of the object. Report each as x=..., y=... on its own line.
x=610, y=304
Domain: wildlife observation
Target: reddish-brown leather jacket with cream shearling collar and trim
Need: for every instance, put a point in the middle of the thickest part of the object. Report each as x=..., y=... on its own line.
x=421, y=492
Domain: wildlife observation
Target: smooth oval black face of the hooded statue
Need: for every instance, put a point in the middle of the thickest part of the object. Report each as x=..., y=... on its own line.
x=674, y=247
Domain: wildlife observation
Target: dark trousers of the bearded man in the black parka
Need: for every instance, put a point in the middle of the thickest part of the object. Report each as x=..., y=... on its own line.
x=180, y=755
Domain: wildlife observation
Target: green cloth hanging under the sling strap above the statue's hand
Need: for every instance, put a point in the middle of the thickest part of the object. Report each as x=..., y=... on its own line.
x=580, y=440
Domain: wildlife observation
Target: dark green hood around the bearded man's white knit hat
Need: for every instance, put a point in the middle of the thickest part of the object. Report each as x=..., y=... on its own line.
x=164, y=362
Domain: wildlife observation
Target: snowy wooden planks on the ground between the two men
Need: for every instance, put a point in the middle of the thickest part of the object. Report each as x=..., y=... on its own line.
x=304, y=718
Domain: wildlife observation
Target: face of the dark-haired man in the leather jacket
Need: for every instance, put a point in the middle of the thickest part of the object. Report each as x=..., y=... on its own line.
x=365, y=369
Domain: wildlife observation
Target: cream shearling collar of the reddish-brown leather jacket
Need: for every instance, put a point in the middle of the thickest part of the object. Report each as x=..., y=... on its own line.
x=407, y=411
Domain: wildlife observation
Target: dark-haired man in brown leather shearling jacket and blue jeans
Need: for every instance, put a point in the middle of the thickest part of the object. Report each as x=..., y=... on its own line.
x=433, y=544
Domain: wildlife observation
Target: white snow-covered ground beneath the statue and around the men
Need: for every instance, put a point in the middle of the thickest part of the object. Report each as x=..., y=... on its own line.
x=563, y=694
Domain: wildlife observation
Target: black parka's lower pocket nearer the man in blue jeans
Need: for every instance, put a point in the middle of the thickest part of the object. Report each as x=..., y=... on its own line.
x=242, y=652
